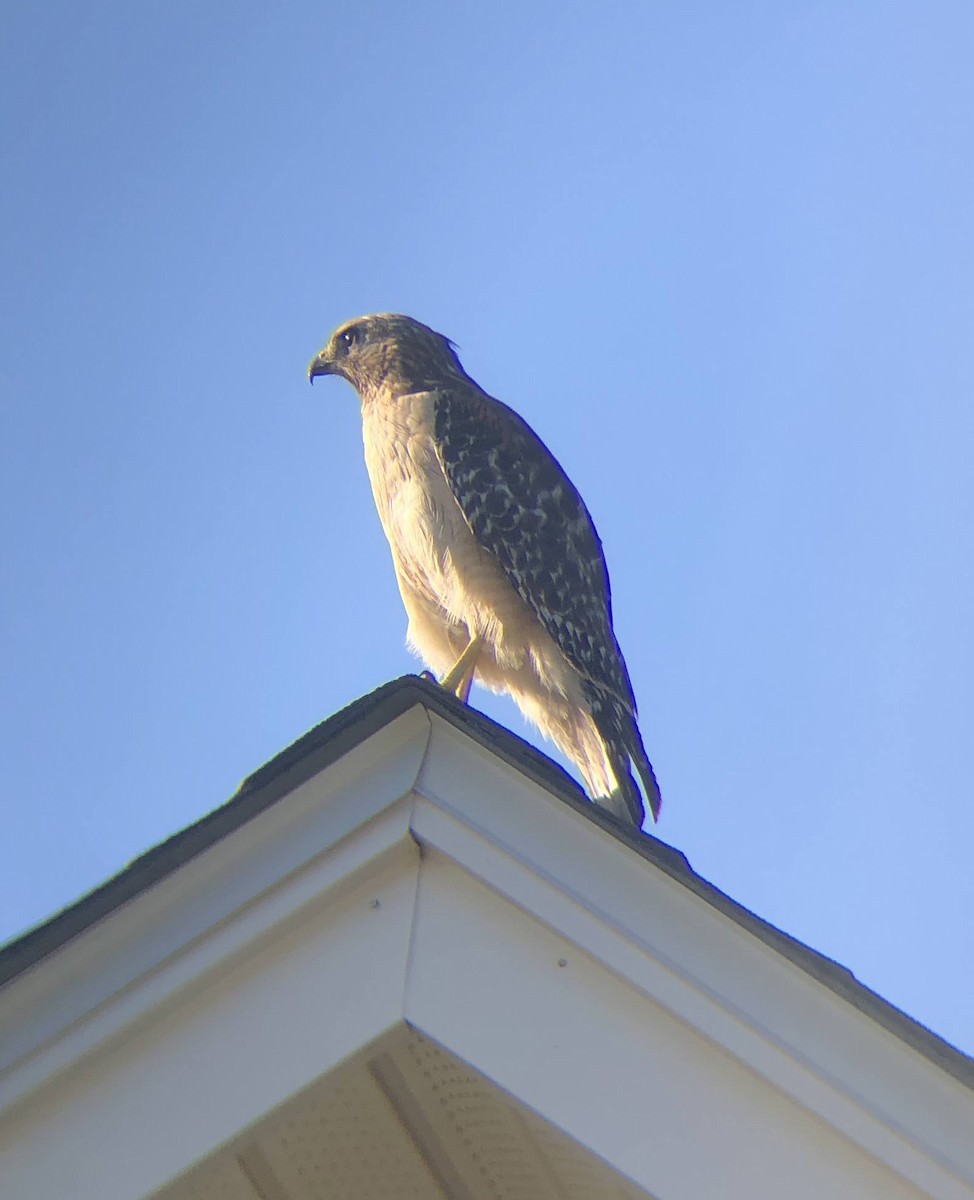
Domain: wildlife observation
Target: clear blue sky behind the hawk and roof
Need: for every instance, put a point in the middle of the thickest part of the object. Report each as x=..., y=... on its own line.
x=720, y=256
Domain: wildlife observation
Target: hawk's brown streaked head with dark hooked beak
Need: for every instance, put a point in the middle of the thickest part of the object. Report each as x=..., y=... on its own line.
x=388, y=353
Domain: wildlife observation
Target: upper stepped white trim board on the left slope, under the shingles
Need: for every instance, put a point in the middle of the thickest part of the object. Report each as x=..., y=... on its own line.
x=121, y=969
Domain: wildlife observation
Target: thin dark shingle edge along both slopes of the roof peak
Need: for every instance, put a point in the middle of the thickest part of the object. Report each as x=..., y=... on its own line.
x=335, y=737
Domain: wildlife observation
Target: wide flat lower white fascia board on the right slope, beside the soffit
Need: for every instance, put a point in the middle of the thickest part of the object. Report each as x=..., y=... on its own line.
x=612, y=1070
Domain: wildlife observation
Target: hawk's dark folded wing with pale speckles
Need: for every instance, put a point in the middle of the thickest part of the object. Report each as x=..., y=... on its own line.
x=525, y=511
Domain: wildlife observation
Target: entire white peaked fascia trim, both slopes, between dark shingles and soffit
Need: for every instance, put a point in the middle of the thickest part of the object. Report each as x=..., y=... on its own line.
x=256, y=967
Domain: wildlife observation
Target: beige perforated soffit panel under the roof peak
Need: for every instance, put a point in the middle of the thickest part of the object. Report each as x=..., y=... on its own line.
x=408, y=1121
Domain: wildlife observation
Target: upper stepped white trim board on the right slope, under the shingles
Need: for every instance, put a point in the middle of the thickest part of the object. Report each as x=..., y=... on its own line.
x=699, y=964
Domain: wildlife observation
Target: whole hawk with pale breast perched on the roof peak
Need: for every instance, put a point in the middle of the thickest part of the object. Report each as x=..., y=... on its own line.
x=497, y=559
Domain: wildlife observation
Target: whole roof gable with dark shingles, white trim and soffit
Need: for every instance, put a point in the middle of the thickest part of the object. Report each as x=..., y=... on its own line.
x=412, y=940
